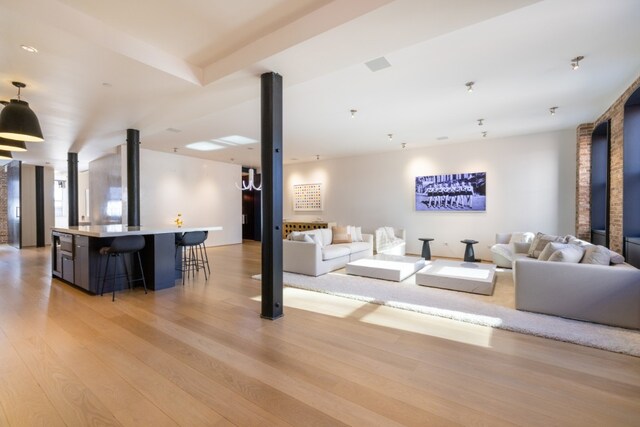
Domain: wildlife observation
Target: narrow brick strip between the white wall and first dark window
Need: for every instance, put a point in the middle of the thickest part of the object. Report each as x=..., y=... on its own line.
x=583, y=181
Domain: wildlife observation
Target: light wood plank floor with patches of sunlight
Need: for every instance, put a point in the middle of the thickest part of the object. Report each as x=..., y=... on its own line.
x=201, y=355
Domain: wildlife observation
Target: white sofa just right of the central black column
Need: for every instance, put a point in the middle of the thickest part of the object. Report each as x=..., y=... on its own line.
x=321, y=256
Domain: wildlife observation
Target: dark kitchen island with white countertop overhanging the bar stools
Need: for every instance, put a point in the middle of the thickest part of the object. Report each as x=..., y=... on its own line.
x=76, y=256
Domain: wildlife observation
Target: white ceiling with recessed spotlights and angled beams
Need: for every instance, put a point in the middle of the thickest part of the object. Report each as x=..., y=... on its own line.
x=194, y=65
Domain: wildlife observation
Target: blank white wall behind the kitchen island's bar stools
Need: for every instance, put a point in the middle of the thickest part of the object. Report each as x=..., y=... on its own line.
x=203, y=191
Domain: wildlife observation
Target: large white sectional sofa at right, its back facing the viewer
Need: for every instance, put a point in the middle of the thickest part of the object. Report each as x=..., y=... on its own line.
x=607, y=294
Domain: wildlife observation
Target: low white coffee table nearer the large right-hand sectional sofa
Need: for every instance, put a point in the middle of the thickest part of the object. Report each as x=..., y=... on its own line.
x=470, y=277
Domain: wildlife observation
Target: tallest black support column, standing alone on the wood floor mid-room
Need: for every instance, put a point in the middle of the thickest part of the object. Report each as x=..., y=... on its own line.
x=271, y=139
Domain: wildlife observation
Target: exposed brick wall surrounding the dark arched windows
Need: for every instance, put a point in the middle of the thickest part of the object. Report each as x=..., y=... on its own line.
x=615, y=113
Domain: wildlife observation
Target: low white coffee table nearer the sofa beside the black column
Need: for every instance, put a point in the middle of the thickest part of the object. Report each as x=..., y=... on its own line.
x=386, y=267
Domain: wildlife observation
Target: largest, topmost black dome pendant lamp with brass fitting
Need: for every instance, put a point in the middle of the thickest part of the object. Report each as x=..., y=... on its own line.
x=18, y=121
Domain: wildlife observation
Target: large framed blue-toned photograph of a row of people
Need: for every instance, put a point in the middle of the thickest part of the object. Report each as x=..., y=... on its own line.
x=455, y=192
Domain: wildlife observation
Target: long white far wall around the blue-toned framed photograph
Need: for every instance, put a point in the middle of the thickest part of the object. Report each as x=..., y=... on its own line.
x=530, y=187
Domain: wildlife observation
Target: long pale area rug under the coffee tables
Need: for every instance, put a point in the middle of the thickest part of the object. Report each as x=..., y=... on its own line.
x=460, y=306
